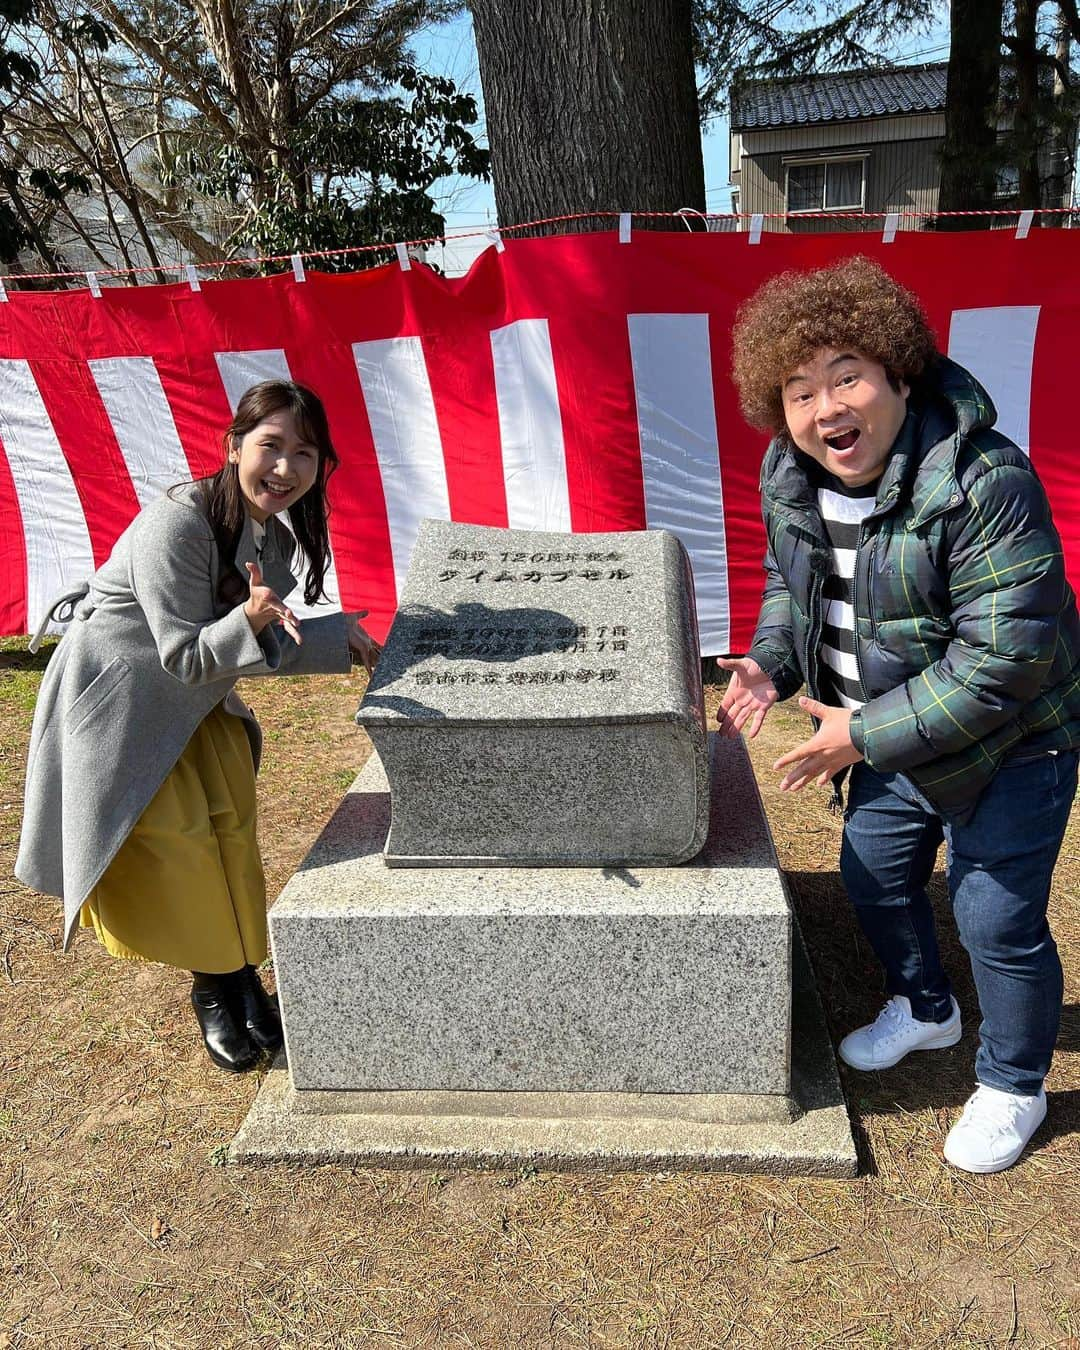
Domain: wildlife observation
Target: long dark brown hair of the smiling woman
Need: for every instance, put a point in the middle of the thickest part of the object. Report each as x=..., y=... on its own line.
x=225, y=503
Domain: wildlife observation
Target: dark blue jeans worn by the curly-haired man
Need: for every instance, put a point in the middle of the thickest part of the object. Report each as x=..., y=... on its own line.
x=1000, y=867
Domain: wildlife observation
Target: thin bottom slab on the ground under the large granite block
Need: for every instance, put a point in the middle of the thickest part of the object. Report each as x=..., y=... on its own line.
x=804, y=1135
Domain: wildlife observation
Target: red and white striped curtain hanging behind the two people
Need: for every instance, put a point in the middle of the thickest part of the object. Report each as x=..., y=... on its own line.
x=573, y=383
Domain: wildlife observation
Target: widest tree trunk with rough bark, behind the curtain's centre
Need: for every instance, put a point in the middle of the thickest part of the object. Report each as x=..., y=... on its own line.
x=592, y=106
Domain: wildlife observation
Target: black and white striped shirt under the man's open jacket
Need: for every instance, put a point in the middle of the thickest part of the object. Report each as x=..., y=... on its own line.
x=843, y=511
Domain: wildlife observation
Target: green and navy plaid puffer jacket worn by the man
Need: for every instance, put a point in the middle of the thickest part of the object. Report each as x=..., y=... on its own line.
x=967, y=632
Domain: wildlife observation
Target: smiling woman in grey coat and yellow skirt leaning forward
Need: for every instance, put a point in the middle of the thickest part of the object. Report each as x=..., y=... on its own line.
x=141, y=777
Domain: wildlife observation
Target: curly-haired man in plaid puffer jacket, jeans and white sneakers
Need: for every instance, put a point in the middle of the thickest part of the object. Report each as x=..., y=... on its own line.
x=916, y=585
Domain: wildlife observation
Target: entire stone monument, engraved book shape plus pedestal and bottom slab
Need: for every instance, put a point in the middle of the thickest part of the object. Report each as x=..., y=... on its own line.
x=549, y=942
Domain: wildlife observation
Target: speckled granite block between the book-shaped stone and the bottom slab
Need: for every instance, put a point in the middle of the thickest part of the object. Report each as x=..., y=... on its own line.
x=538, y=979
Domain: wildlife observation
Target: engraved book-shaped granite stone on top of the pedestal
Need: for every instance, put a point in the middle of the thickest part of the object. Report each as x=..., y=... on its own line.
x=539, y=703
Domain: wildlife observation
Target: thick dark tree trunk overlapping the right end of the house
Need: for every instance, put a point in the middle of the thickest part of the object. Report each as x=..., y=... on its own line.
x=969, y=157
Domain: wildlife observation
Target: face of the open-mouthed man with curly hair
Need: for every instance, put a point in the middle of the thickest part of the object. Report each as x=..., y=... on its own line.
x=842, y=411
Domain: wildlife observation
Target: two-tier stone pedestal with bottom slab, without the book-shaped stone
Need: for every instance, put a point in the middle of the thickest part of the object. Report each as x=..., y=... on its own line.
x=596, y=1017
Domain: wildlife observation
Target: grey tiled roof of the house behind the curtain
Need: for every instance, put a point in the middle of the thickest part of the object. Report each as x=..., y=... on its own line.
x=854, y=94
